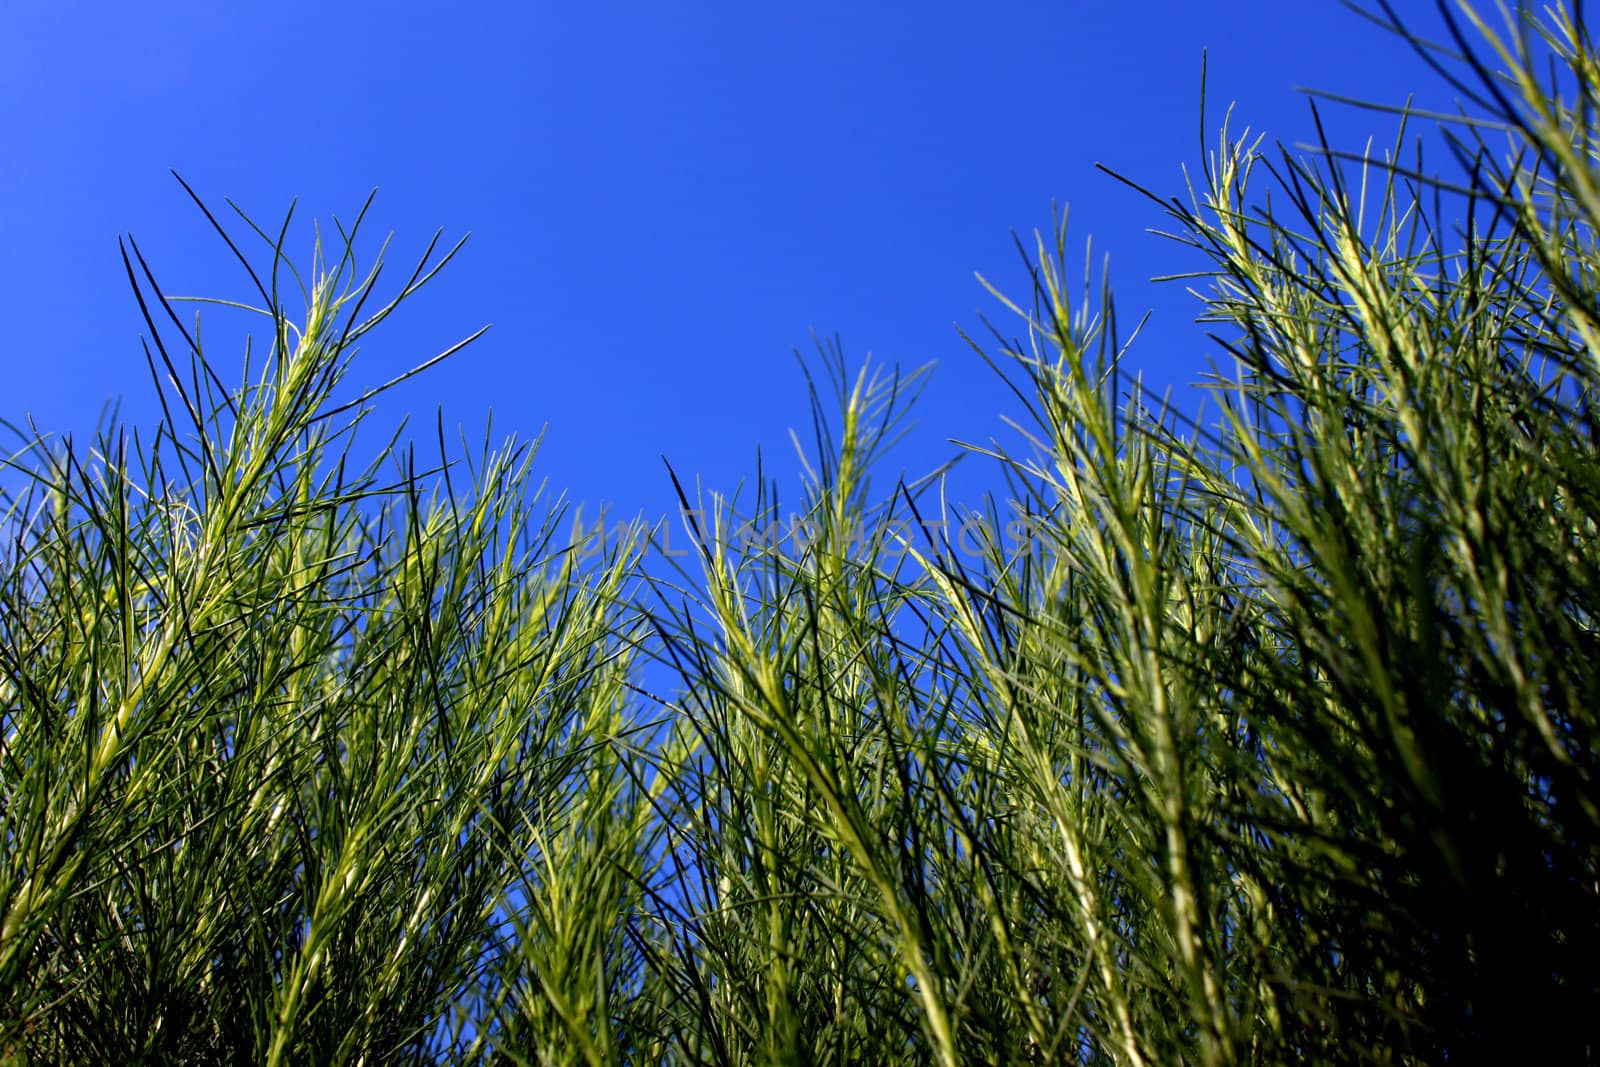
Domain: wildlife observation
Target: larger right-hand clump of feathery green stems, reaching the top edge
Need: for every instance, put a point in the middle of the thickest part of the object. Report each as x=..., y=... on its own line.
x=1273, y=735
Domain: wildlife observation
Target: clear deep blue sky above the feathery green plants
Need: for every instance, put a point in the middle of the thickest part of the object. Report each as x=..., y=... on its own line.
x=665, y=199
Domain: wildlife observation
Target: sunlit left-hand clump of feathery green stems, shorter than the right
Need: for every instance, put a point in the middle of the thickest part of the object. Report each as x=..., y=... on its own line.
x=290, y=741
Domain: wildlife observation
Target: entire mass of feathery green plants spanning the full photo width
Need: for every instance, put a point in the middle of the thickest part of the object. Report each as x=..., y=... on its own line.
x=1265, y=735
